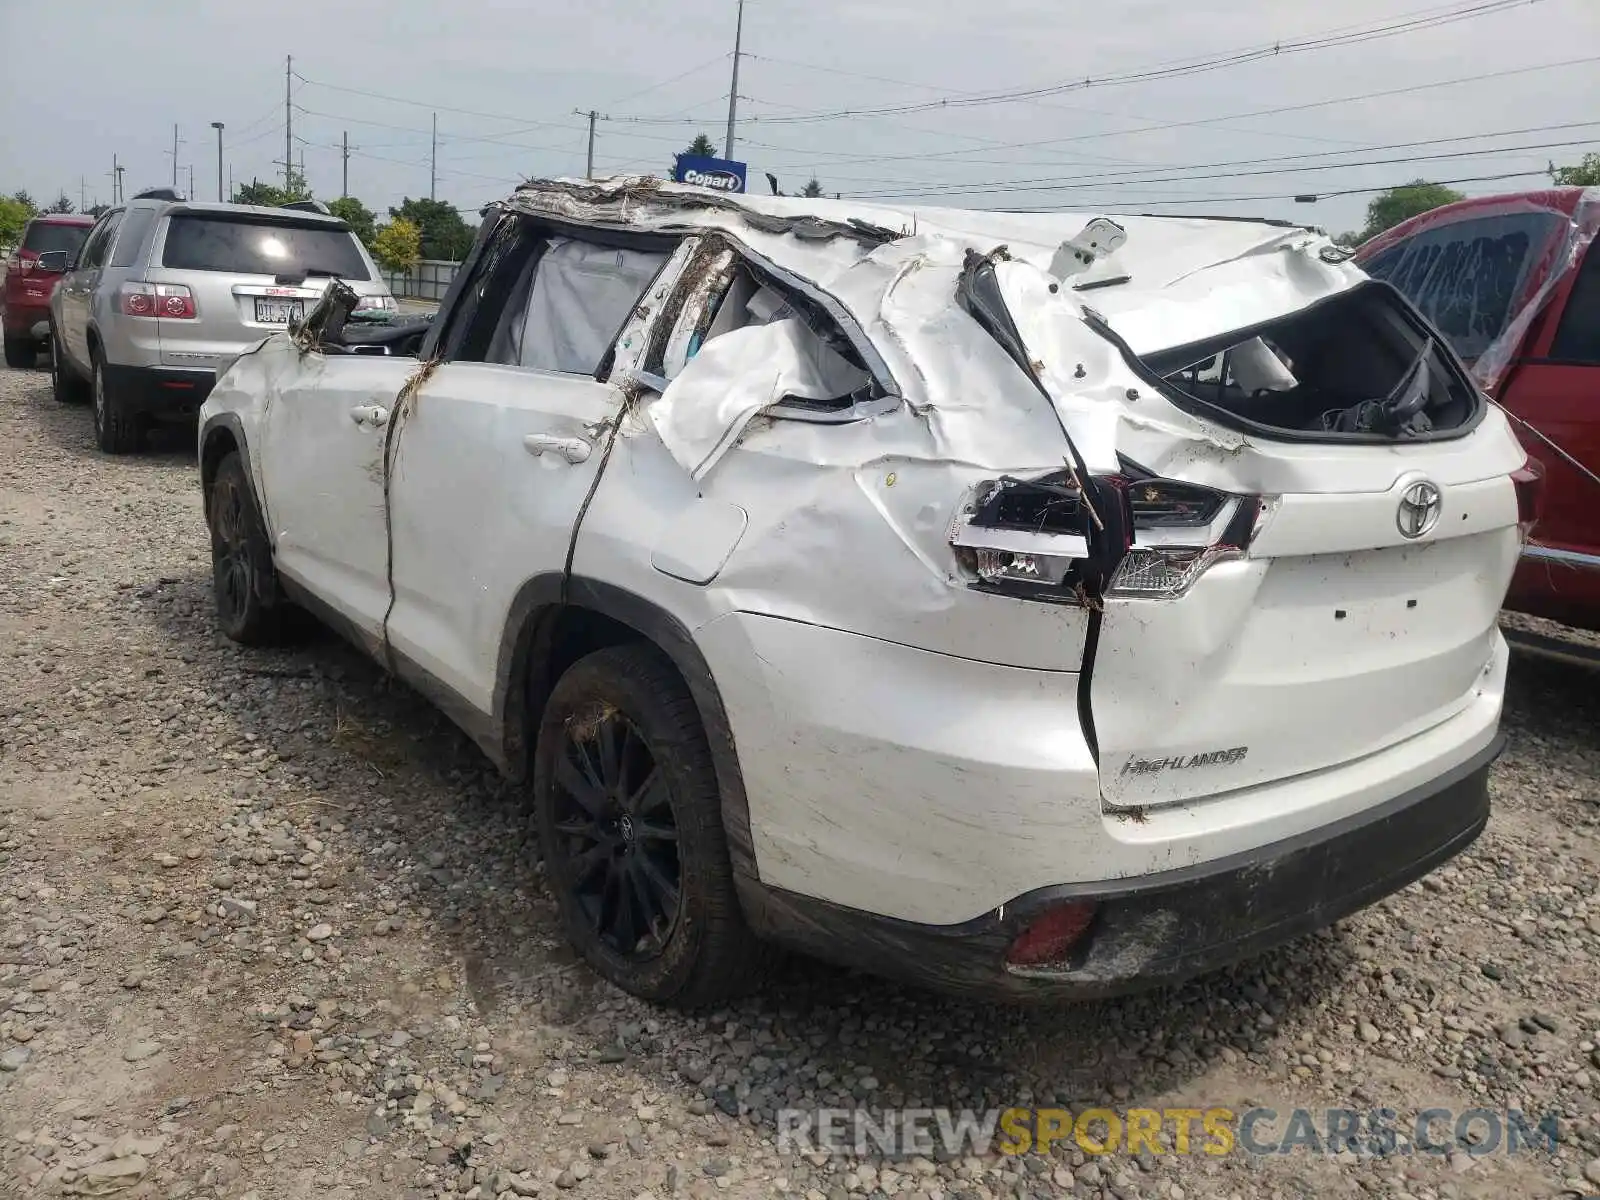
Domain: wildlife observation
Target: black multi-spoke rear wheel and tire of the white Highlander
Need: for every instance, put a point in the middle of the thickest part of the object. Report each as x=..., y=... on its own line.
x=630, y=818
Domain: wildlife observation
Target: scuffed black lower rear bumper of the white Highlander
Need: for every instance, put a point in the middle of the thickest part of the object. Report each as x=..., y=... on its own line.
x=1167, y=927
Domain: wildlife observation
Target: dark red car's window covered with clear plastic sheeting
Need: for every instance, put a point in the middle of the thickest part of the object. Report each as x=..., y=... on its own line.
x=1466, y=276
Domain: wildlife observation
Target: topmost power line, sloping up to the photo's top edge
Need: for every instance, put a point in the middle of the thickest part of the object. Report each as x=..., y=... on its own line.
x=1178, y=70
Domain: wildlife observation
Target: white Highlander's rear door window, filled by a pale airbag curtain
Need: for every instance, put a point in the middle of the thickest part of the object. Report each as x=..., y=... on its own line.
x=570, y=303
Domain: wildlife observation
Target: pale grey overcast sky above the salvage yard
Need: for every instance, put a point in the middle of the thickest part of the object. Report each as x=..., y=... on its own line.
x=86, y=81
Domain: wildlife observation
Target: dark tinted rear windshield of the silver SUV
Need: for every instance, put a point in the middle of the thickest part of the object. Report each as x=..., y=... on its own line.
x=254, y=247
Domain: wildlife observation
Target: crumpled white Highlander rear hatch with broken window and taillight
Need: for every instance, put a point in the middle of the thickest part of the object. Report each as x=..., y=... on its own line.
x=1295, y=510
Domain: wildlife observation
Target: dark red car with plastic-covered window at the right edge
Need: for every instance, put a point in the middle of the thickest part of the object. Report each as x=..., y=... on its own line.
x=1514, y=286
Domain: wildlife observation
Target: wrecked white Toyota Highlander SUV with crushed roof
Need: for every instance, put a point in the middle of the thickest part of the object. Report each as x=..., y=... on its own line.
x=1022, y=606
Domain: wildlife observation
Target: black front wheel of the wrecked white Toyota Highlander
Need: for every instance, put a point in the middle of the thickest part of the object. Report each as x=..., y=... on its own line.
x=250, y=609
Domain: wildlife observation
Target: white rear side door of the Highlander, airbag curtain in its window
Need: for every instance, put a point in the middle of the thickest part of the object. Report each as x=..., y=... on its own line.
x=506, y=439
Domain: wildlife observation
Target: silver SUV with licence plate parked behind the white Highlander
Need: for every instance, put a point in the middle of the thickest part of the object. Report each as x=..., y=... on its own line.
x=162, y=292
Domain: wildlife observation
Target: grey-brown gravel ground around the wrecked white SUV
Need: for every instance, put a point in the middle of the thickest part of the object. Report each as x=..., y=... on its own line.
x=271, y=929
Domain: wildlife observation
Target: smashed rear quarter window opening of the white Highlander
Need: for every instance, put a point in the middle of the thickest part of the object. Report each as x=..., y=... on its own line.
x=738, y=298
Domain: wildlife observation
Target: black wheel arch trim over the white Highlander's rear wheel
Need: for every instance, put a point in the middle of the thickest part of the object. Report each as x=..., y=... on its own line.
x=553, y=623
